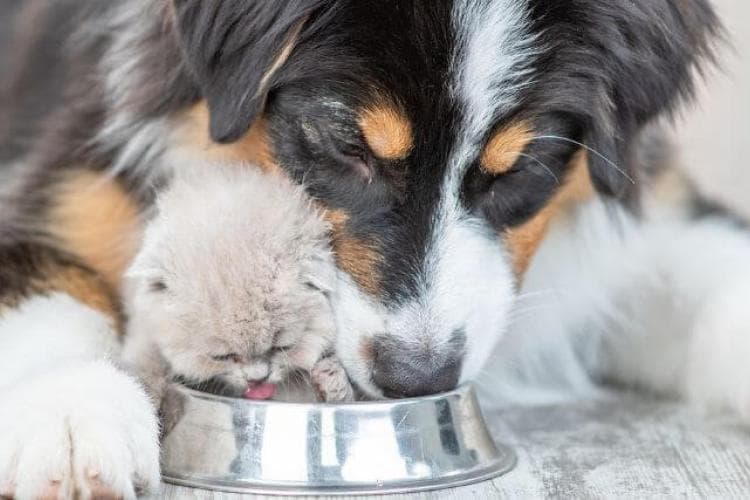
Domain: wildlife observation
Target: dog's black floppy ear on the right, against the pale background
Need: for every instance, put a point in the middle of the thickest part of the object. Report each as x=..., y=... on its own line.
x=644, y=56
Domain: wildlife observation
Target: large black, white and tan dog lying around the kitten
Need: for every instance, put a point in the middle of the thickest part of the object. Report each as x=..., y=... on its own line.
x=483, y=164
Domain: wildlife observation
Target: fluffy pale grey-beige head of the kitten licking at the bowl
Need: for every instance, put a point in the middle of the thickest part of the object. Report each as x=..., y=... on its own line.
x=233, y=277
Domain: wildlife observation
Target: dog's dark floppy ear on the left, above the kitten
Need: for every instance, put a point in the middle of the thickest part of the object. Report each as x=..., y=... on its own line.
x=235, y=50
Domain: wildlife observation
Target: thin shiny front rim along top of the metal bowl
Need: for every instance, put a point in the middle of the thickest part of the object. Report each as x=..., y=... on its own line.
x=462, y=390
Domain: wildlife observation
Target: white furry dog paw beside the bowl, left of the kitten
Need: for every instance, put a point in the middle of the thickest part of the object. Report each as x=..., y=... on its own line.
x=86, y=431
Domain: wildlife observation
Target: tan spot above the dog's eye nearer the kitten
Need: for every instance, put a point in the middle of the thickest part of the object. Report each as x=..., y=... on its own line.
x=387, y=131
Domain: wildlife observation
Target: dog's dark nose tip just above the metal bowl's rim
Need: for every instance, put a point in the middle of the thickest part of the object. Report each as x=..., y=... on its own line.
x=403, y=370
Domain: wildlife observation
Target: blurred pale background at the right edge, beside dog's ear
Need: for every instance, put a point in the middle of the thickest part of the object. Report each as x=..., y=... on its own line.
x=714, y=135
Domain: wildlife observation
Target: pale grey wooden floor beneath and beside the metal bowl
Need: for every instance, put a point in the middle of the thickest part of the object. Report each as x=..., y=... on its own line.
x=624, y=447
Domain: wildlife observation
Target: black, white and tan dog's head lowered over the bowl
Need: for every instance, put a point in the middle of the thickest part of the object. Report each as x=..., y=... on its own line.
x=442, y=137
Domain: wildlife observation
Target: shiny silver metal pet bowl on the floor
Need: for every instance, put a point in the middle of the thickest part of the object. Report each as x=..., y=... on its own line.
x=358, y=448
